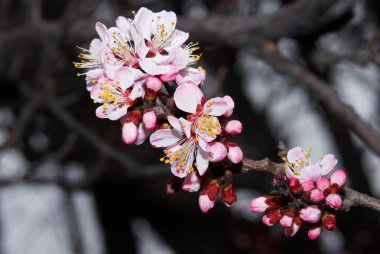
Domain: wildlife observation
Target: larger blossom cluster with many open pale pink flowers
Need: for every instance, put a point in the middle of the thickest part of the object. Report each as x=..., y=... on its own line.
x=143, y=67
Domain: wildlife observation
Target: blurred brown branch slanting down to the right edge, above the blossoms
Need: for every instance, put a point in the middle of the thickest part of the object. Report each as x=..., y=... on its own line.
x=323, y=91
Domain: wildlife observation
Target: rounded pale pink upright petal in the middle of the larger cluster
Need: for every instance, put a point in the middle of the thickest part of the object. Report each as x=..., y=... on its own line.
x=186, y=99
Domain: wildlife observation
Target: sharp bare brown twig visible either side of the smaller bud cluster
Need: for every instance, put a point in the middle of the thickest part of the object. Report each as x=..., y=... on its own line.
x=351, y=198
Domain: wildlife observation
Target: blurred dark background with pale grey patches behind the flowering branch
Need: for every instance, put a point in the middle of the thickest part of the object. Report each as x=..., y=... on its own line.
x=69, y=186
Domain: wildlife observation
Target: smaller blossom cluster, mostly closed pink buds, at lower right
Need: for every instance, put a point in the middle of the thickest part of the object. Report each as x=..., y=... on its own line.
x=304, y=197
